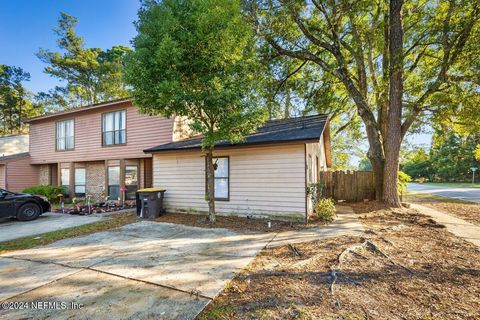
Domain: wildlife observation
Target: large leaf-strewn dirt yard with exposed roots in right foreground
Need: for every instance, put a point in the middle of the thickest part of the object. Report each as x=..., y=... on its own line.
x=406, y=267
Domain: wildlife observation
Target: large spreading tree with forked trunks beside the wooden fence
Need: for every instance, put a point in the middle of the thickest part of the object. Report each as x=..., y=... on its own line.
x=392, y=59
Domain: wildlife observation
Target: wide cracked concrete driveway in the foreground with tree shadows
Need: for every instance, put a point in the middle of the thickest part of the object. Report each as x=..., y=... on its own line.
x=145, y=270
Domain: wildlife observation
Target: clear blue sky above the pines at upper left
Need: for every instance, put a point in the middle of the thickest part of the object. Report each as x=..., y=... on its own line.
x=26, y=26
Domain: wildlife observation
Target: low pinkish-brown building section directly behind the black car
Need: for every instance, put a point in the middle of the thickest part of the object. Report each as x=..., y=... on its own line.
x=16, y=173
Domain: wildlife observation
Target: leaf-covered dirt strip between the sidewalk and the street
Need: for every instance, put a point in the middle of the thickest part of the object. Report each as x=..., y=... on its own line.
x=468, y=211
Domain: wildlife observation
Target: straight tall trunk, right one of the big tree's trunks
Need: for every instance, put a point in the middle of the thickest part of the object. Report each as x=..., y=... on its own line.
x=393, y=138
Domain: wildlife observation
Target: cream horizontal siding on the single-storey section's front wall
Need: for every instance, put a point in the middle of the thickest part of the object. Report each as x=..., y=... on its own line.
x=264, y=181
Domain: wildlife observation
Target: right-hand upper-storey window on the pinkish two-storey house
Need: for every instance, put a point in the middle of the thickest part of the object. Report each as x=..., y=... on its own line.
x=113, y=128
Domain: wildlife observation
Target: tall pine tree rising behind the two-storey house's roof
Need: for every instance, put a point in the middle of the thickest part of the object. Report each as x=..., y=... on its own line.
x=91, y=75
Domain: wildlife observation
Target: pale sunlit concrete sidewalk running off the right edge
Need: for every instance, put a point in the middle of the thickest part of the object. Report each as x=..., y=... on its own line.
x=459, y=227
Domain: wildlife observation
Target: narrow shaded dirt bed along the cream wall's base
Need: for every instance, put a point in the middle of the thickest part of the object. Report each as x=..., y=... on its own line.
x=235, y=223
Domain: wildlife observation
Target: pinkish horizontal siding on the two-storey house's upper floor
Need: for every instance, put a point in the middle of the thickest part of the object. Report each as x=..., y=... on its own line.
x=142, y=132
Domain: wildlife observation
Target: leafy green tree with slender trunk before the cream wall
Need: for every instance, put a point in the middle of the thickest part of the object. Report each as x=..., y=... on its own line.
x=197, y=59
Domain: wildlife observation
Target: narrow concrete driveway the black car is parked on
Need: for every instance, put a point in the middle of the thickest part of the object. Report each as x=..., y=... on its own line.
x=11, y=229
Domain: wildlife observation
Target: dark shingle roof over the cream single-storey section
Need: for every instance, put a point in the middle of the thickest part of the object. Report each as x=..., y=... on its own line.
x=307, y=128
